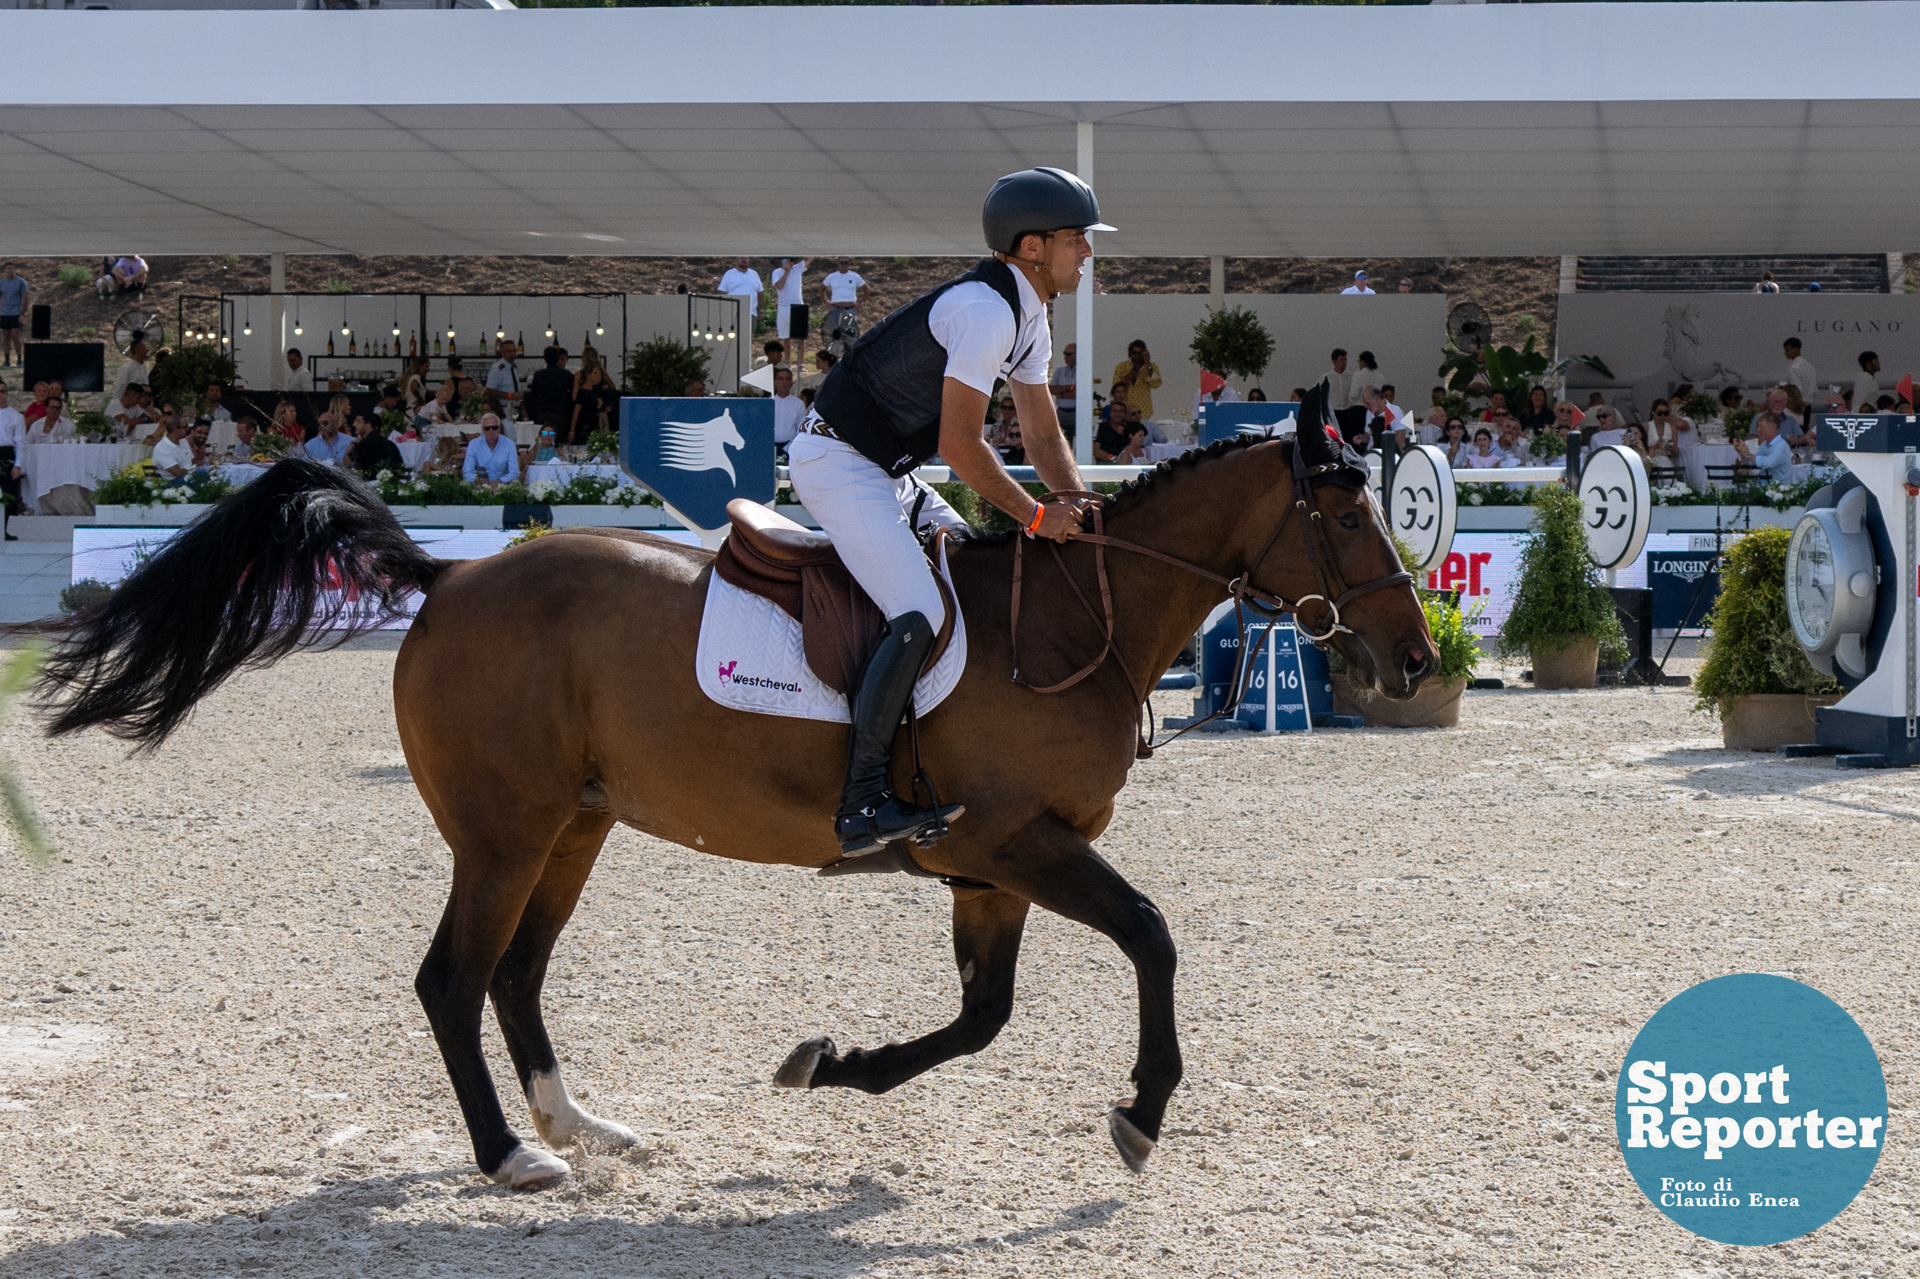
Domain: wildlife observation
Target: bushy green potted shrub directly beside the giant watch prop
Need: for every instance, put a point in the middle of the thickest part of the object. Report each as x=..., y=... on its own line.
x=1756, y=675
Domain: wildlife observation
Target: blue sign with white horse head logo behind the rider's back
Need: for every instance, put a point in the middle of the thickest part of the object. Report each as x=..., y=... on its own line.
x=700, y=454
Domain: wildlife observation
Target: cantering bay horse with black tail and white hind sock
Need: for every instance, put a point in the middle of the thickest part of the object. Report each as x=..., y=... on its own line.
x=596, y=719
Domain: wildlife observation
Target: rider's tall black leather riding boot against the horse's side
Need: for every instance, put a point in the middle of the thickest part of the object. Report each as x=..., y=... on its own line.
x=871, y=815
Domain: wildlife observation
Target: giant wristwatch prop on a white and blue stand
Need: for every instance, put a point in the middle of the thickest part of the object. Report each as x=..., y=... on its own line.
x=1852, y=585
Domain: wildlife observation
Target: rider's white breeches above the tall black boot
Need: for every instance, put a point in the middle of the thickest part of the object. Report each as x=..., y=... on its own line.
x=869, y=516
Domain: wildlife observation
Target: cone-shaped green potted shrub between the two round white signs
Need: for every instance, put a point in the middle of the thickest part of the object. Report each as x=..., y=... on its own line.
x=1562, y=614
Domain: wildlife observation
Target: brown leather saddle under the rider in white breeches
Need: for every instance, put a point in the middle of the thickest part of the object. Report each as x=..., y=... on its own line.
x=798, y=569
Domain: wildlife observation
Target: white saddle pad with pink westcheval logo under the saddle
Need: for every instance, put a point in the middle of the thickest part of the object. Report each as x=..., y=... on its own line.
x=750, y=658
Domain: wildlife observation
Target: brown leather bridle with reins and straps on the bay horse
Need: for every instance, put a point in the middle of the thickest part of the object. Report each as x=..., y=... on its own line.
x=1333, y=592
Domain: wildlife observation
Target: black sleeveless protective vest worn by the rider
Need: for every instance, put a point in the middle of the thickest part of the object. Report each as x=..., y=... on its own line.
x=884, y=397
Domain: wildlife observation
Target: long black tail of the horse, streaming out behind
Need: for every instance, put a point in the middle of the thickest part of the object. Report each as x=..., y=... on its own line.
x=299, y=552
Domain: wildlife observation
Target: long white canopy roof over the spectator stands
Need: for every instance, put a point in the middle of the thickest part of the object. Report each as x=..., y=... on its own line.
x=1218, y=130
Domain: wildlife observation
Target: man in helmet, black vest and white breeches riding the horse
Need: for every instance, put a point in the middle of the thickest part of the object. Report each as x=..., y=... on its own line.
x=913, y=387
